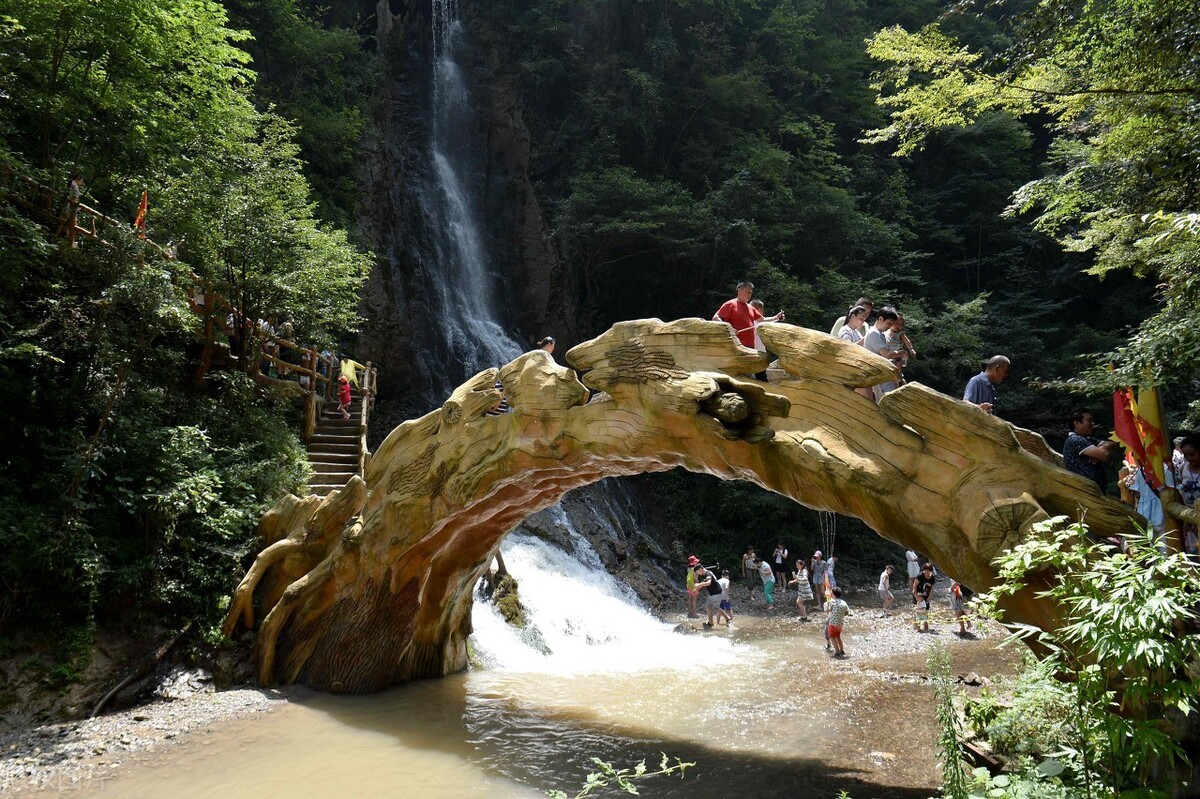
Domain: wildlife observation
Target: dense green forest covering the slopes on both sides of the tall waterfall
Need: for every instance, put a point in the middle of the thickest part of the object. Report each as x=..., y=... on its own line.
x=1017, y=178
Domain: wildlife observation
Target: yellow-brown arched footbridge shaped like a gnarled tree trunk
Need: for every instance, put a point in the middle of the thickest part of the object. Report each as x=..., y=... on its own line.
x=373, y=586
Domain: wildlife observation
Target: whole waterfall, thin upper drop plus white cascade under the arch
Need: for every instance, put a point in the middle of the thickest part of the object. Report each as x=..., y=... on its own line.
x=573, y=602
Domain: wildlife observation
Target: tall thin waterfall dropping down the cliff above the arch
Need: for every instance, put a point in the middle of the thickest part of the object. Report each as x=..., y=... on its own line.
x=463, y=286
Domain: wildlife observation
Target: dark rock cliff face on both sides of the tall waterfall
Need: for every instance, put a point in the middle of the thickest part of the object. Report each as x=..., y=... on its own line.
x=401, y=335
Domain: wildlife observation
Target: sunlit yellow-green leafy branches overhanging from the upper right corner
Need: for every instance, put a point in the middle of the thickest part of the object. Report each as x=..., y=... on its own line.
x=1118, y=82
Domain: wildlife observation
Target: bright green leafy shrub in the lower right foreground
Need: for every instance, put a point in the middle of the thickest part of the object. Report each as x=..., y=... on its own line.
x=1123, y=664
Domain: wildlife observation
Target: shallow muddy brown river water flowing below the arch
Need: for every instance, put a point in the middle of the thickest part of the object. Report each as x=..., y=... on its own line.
x=761, y=710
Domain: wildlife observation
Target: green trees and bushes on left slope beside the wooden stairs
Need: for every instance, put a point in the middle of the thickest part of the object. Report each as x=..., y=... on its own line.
x=128, y=492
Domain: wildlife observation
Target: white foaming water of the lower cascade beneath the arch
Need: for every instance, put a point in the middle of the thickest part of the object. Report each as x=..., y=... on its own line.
x=580, y=618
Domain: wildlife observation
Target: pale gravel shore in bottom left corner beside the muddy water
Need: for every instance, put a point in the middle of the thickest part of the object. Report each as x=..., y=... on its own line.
x=58, y=755
